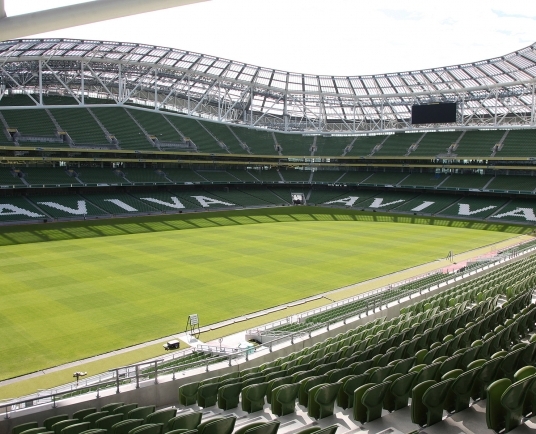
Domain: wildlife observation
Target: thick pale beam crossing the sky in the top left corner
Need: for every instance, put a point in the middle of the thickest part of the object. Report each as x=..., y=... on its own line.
x=76, y=15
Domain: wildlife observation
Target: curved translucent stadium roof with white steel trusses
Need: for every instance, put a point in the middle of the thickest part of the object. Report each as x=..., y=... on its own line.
x=491, y=93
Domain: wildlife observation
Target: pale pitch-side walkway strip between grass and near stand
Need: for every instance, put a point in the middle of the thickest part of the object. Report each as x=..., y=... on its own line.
x=231, y=328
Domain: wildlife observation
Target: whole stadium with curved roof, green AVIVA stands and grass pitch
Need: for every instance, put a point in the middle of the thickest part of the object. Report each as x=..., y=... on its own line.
x=316, y=253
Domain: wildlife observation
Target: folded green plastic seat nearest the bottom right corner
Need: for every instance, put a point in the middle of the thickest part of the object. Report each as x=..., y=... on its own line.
x=505, y=402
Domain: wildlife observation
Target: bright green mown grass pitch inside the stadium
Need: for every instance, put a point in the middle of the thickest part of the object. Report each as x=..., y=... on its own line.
x=88, y=290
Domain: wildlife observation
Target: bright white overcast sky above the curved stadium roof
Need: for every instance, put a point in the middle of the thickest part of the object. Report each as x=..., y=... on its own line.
x=334, y=37
